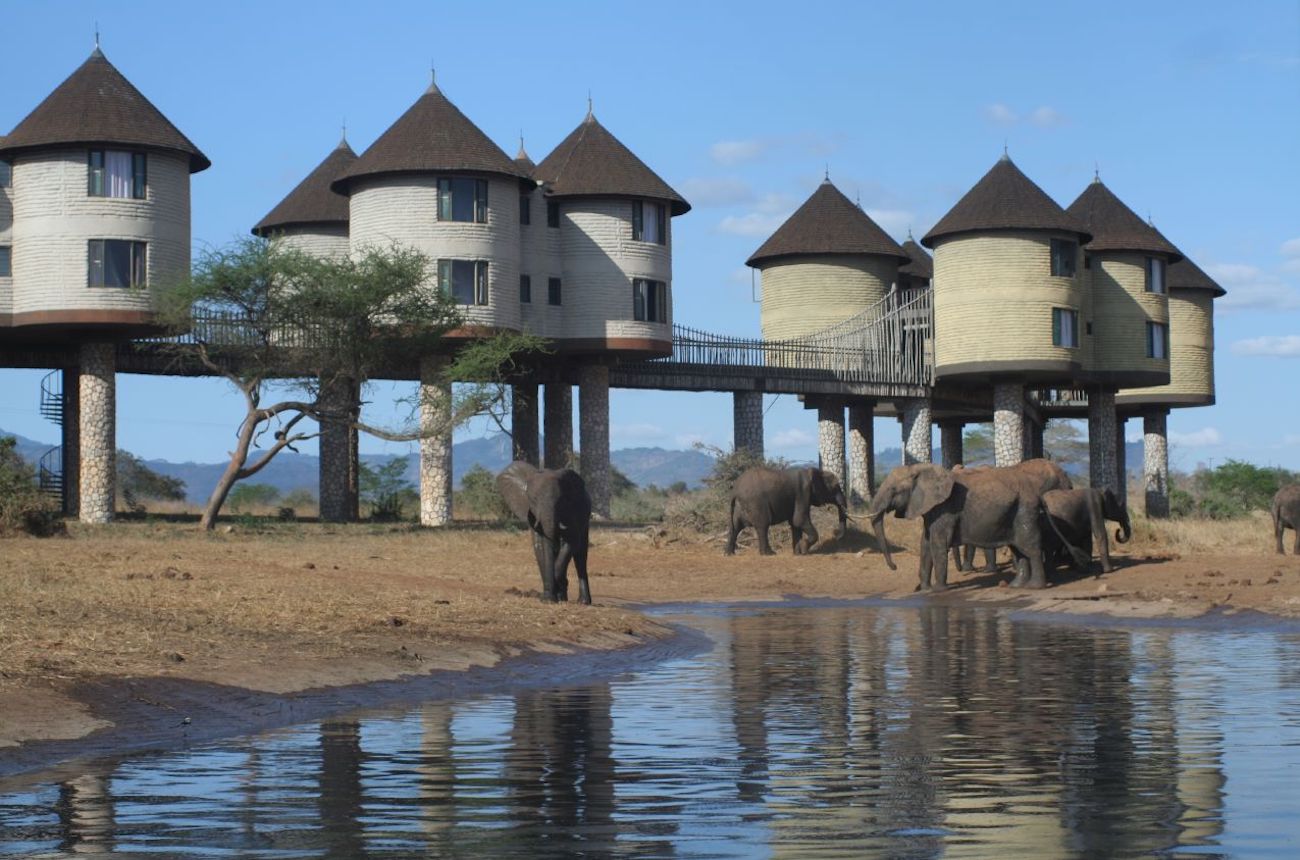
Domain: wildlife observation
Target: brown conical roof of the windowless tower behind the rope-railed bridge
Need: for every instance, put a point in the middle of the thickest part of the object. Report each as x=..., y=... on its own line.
x=829, y=223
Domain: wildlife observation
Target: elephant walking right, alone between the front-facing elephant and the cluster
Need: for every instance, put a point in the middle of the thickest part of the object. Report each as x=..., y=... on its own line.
x=764, y=497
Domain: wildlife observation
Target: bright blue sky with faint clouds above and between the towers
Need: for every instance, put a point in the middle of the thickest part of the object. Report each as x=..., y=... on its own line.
x=1190, y=111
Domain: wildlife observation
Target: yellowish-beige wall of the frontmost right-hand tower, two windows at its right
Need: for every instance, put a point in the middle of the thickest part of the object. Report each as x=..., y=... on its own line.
x=994, y=301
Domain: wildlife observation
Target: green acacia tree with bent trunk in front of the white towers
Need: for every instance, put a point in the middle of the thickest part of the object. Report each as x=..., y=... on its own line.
x=278, y=322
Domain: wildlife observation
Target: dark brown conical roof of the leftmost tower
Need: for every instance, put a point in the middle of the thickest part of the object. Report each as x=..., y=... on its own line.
x=98, y=106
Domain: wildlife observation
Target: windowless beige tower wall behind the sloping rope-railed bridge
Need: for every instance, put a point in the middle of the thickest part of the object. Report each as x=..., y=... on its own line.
x=804, y=296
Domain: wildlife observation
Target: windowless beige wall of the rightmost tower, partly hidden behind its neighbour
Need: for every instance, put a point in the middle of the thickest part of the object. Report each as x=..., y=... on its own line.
x=1191, y=349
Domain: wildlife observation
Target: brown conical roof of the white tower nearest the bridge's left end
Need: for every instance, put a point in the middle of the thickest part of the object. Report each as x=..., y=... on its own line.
x=593, y=163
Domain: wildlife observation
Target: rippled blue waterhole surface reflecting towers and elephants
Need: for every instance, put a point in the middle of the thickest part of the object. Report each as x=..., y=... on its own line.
x=807, y=732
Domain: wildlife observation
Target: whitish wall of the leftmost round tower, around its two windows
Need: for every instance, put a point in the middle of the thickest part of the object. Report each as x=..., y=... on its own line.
x=54, y=219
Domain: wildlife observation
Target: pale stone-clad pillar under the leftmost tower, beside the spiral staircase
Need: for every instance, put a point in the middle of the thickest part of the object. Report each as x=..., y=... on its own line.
x=98, y=397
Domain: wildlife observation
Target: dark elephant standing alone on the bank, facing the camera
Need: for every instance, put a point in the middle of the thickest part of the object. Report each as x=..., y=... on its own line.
x=558, y=511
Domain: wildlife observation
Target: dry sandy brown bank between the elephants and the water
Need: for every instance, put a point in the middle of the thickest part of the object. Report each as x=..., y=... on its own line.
x=284, y=610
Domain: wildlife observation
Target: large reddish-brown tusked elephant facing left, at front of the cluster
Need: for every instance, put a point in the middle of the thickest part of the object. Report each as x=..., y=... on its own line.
x=981, y=507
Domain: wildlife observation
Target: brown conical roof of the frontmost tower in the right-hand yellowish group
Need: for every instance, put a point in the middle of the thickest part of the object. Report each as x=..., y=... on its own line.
x=1006, y=199
